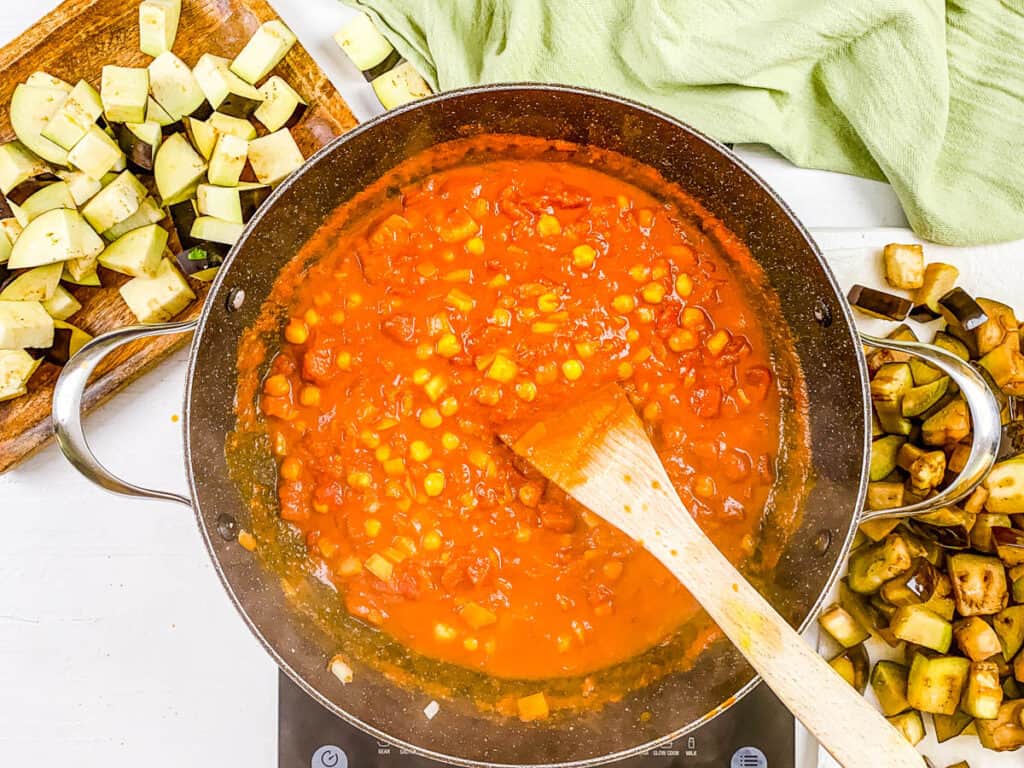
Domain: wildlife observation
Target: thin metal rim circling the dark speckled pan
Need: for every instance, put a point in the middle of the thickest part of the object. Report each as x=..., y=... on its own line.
x=216, y=295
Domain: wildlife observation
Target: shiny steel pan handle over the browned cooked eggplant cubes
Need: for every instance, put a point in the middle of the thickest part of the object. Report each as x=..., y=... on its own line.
x=986, y=424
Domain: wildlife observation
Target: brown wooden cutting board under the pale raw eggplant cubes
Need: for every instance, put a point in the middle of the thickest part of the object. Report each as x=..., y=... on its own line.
x=74, y=42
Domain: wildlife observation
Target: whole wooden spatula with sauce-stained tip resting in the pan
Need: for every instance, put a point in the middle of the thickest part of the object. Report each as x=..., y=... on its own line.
x=598, y=451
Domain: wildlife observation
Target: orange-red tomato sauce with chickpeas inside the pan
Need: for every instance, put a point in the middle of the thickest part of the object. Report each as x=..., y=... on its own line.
x=482, y=294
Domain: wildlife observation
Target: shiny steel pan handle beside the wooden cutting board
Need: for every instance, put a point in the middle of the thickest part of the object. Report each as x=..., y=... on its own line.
x=68, y=408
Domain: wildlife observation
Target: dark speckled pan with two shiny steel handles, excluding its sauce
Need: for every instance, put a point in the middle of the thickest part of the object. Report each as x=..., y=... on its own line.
x=827, y=347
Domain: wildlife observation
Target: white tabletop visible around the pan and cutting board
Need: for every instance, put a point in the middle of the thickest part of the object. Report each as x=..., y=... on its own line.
x=118, y=647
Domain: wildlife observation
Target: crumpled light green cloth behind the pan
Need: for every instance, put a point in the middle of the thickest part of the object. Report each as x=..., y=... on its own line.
x=927, y=97
